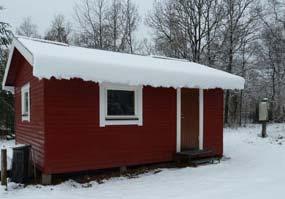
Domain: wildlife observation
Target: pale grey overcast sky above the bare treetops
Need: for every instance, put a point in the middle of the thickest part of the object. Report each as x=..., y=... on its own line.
x=42, y=11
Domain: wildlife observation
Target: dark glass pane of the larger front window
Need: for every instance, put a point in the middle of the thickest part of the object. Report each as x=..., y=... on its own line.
x=120, y=102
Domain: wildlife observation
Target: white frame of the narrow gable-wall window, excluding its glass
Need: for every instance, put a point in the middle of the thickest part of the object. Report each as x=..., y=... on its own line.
x=25, y=115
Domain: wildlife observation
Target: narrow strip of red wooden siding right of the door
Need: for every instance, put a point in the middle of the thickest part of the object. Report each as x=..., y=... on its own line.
x=213, y=120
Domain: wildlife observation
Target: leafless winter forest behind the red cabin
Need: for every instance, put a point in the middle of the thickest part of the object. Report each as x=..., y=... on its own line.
x=242, y=37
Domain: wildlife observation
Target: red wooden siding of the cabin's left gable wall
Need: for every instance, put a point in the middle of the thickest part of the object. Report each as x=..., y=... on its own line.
x=29, y=132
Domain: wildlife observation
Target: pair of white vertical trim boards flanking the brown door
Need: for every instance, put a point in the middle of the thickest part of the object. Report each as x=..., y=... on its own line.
x=178, y=119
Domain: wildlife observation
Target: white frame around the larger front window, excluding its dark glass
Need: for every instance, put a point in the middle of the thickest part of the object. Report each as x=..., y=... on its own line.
x=122, y=120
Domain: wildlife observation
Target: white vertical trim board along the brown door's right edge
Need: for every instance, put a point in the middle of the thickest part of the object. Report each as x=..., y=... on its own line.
x=201, y=119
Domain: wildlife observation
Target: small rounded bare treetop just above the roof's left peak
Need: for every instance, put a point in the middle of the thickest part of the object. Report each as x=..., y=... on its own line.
x=28, y=29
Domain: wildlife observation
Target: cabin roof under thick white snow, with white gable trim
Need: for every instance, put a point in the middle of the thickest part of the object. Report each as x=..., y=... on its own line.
x=52, y=59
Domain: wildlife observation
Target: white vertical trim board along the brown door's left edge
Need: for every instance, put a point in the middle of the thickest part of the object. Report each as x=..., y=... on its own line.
x=178, y=120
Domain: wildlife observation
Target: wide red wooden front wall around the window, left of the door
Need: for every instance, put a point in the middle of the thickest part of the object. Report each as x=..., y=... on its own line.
x=75, y=141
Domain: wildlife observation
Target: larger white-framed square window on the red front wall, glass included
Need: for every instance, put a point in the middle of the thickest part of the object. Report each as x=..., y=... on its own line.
x=120, y=105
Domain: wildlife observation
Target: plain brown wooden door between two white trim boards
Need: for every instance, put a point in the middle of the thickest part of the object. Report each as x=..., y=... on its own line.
x=189, y=119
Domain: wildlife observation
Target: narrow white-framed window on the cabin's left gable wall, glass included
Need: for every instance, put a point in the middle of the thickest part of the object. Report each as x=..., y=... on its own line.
x=25, y=102
